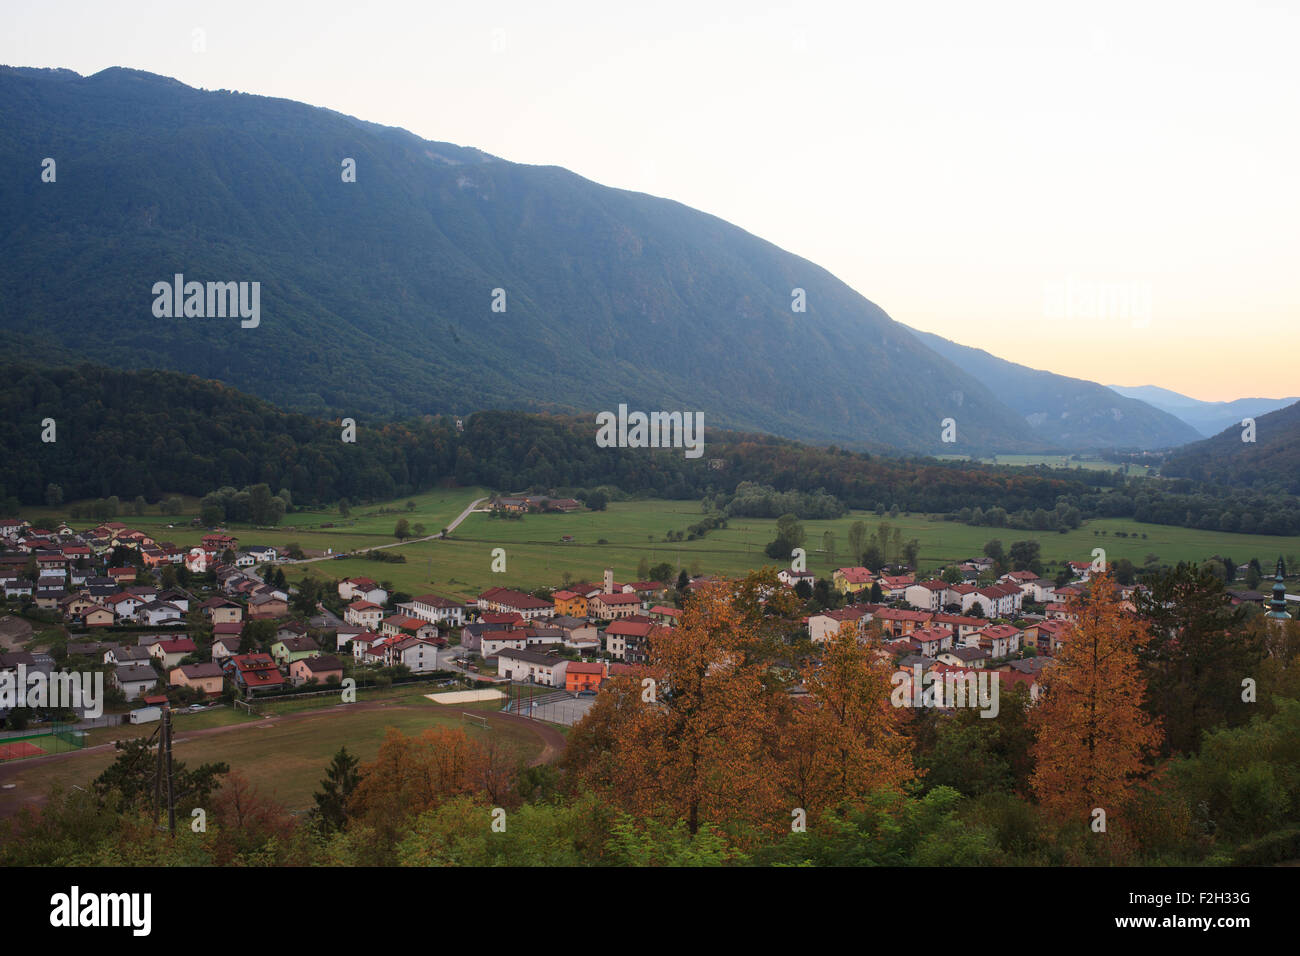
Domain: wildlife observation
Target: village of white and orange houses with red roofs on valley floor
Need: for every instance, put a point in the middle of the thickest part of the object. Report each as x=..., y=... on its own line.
x=233, y=631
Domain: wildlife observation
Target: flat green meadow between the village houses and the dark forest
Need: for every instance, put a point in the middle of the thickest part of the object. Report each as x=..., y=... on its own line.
x=538, y=557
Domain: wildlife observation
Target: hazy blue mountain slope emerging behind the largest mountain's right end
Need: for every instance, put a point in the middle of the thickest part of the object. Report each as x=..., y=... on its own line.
x=1069, y=413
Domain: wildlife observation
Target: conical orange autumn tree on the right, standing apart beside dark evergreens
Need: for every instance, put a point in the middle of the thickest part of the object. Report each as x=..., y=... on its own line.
x=1093, y=736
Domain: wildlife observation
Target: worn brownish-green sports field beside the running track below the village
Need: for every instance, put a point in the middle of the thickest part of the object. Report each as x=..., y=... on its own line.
x=285, y=758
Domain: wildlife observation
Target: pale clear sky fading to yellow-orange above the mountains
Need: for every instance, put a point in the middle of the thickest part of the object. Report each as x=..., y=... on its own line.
x=1106, y=191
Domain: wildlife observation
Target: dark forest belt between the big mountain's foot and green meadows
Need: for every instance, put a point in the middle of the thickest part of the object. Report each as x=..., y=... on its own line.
x=151, y=434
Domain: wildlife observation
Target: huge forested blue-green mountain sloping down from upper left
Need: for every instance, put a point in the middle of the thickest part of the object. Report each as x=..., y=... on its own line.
x=376, y=295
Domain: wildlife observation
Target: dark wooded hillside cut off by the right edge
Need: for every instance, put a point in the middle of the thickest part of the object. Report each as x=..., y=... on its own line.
x=1271, y=462
